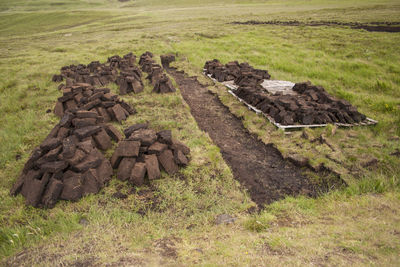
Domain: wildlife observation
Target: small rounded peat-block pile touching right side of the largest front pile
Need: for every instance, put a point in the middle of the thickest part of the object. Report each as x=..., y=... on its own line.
x=145, y=152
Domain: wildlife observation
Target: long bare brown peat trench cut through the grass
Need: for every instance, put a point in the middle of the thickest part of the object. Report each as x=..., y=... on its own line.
x=260, y=168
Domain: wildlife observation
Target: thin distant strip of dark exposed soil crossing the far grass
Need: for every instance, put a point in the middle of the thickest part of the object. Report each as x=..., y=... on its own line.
x=371, y=27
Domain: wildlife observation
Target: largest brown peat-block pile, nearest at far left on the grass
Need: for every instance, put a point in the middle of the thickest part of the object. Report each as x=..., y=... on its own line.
x=68, y=163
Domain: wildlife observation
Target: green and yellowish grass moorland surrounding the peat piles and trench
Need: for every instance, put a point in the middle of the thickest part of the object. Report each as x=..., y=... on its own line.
x=356, y=225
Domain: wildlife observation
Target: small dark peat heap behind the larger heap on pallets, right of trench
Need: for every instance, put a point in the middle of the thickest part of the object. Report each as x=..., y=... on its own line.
x=235, y=71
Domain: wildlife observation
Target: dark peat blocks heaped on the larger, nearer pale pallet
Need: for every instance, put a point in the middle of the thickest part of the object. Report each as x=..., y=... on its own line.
x=312, y=105
